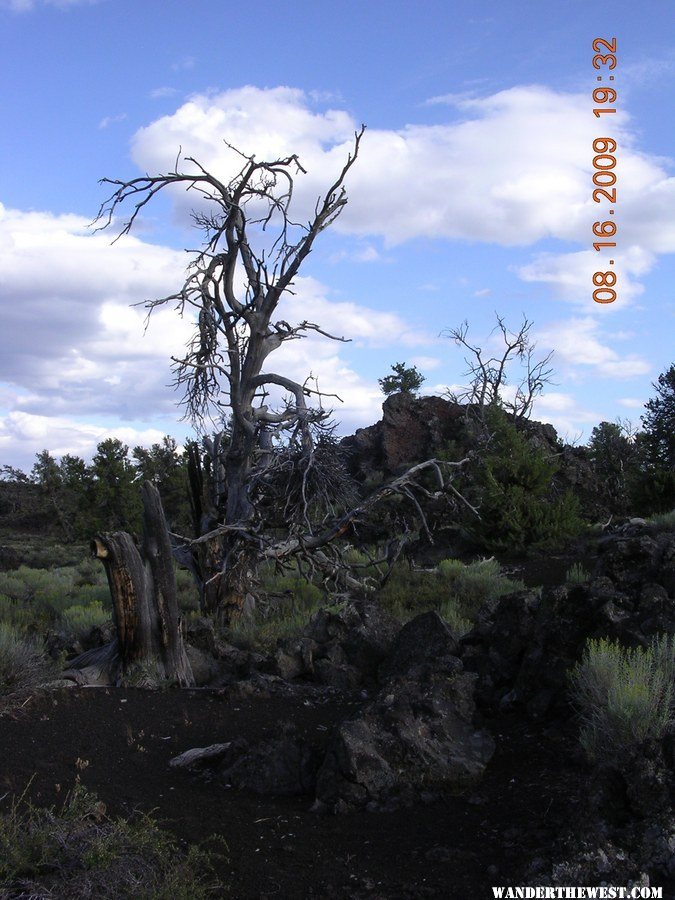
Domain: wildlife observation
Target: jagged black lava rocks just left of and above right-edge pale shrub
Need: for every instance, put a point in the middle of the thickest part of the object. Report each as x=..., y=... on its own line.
x=523, y=645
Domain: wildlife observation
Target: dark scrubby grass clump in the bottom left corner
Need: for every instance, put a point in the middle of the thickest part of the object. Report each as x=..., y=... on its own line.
x=80, y=852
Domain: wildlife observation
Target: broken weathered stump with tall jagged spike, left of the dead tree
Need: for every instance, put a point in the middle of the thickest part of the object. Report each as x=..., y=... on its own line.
x=143, y=589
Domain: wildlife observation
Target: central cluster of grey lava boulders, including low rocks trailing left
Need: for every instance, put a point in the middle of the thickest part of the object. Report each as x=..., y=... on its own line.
x=417, y=736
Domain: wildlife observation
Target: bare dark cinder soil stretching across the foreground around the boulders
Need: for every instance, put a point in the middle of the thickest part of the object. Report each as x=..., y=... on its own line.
x=120, y=743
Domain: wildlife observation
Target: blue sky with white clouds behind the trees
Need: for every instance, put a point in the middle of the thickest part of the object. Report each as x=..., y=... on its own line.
x=472, y=196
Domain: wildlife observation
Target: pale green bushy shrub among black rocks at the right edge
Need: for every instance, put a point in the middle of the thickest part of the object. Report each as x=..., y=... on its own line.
x=624, y=696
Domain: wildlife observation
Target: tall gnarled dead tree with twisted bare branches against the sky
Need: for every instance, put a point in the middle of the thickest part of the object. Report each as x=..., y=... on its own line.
x=272, y=456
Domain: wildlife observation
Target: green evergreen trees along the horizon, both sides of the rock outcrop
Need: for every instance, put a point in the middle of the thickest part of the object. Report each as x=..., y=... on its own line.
x=513, y=481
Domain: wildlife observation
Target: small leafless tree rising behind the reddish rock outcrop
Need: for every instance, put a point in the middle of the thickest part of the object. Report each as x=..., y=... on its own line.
x=489, y=375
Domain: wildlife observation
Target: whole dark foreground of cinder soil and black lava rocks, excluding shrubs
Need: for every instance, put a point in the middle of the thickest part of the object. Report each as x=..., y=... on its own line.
x=366, y=760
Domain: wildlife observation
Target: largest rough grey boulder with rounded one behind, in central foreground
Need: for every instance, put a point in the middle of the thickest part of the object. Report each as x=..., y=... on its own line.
x=417, y=736
